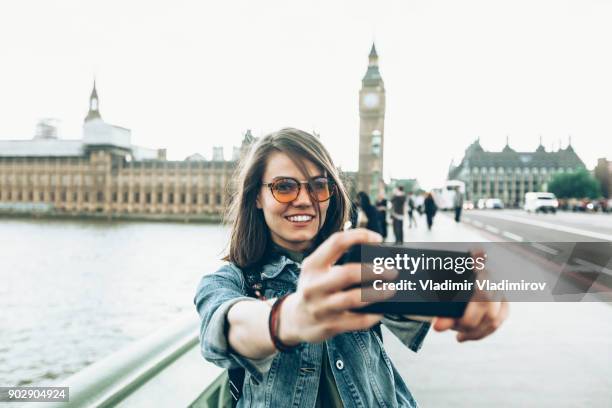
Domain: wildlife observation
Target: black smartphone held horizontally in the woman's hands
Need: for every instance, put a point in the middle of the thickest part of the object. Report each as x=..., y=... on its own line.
x=425, y=299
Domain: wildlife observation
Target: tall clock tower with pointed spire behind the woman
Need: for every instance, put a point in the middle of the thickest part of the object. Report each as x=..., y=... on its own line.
x=371, y=129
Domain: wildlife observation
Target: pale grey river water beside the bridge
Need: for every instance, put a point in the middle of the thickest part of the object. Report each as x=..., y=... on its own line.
x=72, y=292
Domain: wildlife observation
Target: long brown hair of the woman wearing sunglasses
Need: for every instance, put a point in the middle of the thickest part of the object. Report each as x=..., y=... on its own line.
x=250, y=235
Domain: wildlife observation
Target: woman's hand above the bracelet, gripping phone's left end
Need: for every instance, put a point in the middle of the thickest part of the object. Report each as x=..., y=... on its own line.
x=321, y=306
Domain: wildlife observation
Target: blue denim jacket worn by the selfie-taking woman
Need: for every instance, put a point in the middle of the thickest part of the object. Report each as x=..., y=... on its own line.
x=363, y=372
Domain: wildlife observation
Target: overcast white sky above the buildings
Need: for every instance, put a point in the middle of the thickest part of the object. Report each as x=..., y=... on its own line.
x=187, y=75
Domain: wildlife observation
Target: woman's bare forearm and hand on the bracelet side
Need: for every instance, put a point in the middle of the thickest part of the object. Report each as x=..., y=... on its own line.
x=320, y=307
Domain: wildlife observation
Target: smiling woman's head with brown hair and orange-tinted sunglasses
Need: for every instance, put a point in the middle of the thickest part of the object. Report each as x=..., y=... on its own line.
x=286, y=174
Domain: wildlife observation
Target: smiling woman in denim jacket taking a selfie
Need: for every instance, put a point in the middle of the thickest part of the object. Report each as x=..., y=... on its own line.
x=299, y=342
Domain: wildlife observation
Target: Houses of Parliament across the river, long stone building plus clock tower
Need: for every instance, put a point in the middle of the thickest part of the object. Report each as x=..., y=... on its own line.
x=104, y=174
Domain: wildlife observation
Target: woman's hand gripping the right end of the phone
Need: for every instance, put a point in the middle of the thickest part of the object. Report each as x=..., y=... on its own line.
x=481, y=318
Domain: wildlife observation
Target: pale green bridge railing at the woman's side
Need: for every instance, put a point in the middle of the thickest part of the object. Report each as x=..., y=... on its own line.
x=162, y=369
